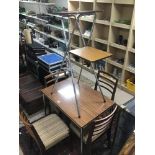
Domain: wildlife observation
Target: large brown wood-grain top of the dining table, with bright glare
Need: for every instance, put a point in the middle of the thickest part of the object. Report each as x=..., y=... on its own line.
x=90, y=101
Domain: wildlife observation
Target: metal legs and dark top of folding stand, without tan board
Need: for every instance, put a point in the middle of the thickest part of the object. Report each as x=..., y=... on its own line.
x=76, y=16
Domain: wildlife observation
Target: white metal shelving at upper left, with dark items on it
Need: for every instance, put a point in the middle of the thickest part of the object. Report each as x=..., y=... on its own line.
x=40, y=35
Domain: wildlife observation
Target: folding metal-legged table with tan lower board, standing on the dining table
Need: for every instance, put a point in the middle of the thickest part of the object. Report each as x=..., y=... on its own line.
x=76, y=15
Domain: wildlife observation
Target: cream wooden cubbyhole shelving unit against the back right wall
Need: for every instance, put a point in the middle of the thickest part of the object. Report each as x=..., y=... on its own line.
x=114, y=32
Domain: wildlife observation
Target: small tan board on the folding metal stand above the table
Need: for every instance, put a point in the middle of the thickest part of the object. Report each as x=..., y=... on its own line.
x=91, y=54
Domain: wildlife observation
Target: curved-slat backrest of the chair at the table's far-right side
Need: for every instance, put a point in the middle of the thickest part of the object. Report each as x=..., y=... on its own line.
x=108, y=82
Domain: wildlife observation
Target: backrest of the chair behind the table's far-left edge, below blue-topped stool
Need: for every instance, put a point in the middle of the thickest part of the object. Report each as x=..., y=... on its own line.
x=50, y=79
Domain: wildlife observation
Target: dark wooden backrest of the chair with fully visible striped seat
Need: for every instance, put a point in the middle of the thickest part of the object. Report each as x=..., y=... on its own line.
x=31, y=130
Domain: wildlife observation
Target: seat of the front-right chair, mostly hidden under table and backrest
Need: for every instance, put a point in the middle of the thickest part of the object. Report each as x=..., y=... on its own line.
x=76, y=130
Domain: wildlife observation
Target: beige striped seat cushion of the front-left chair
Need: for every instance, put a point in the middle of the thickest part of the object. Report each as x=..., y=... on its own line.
x=51, y=130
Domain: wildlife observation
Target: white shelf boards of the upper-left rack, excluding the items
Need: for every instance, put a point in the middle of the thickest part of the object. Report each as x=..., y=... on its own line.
x=40, y=7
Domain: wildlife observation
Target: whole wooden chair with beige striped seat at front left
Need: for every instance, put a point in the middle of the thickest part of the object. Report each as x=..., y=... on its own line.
x=46, y=132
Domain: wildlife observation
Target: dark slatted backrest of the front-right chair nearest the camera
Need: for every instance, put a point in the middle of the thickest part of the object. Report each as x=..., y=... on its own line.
x=101, y=124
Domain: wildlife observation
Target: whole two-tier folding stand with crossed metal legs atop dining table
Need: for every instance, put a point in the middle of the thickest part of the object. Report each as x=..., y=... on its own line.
x=87, y=53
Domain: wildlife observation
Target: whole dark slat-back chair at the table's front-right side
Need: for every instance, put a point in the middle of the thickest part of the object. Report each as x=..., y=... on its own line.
x=100, y=126
